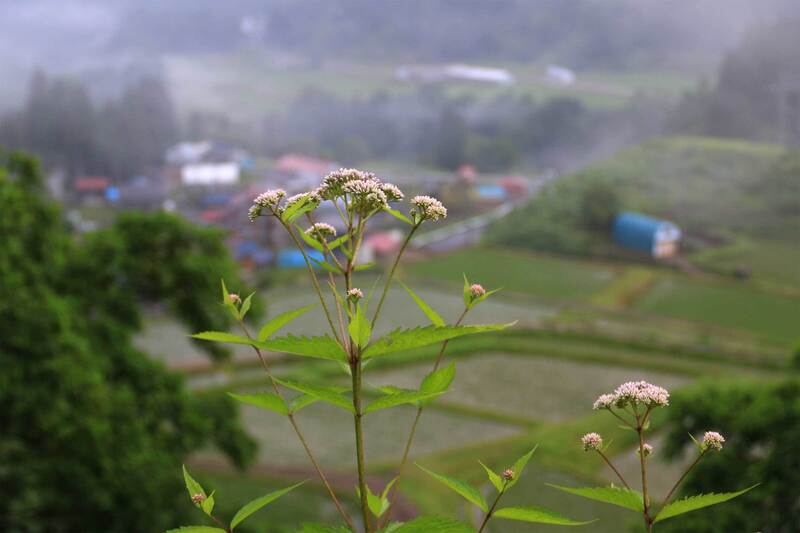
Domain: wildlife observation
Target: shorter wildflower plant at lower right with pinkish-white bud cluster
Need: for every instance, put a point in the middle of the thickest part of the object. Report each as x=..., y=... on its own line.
x=632, y=404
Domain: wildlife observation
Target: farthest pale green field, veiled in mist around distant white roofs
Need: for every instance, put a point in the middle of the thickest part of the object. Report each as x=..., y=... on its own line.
x=246, y=85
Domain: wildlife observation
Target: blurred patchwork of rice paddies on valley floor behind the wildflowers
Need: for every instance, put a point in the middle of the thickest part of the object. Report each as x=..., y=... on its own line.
x=584, y=327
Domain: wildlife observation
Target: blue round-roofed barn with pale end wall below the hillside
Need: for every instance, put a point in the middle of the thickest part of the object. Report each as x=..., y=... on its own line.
x=659, y=238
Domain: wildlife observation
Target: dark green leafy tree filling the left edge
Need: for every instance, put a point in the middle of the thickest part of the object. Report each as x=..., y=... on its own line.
x=92, y=427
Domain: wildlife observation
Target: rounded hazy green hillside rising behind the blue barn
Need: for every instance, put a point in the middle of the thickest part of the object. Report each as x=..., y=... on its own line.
x=713, y=188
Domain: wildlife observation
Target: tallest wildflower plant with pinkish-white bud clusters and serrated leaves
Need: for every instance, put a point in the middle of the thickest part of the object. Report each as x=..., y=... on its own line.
x=351, y=344
